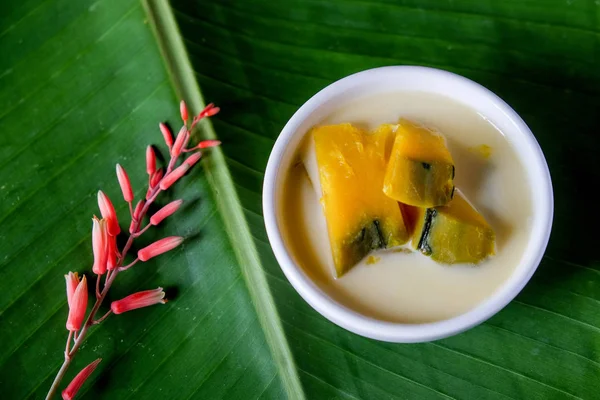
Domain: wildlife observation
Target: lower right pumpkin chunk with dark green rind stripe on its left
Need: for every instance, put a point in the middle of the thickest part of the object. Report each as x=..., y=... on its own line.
x=454, y=233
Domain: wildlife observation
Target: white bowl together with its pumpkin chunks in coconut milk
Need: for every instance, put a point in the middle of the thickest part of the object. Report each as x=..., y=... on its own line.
x=407, y=204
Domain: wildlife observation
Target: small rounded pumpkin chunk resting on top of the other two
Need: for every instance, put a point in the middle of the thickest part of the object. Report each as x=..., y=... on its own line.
x=421, y=170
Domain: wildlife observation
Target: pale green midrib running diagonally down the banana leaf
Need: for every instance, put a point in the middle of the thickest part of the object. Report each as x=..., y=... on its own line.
x=219, y=178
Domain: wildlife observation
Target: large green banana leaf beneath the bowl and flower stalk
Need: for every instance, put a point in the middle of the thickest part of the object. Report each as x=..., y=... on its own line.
x=83, y=85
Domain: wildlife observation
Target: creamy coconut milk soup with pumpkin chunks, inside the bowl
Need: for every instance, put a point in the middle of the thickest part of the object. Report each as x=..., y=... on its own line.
x=447, y=259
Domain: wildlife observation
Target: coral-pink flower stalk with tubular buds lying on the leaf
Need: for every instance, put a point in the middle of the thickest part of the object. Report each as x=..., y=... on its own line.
x=110, y=262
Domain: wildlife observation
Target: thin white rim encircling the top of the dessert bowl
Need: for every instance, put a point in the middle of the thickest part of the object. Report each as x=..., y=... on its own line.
x=399, y=332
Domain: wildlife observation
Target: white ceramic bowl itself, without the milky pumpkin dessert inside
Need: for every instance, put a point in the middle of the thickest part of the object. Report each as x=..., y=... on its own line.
x=408, y=78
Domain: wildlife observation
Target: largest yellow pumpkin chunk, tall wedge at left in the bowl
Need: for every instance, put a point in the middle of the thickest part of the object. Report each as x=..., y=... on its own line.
x=360, y=218
